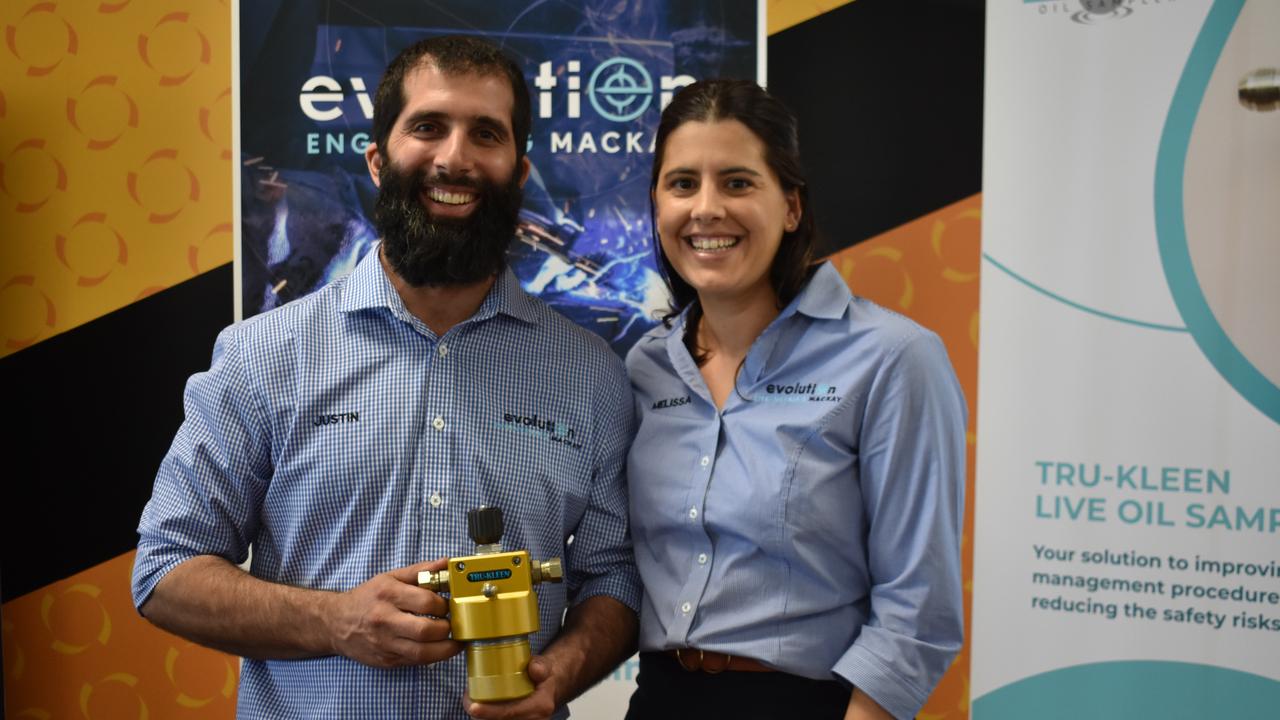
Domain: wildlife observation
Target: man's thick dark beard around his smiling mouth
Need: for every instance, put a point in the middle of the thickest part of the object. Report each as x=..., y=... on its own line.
x=432, y=252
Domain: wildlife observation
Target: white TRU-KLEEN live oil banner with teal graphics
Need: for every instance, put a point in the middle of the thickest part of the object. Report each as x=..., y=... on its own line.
x=1128, y=491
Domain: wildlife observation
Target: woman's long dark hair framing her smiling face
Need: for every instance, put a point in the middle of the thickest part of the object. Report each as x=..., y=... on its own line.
x=772, y=122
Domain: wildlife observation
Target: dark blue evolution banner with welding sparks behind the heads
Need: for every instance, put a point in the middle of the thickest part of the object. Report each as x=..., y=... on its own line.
x=600, y=74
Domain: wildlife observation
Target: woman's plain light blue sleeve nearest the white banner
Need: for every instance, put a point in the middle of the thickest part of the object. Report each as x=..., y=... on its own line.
x=912, y=463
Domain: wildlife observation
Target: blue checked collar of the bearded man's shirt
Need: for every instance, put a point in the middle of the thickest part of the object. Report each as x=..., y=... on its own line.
x=371, y=288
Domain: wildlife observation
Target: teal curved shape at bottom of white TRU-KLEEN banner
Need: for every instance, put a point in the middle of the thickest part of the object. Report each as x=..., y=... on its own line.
x=1135, y=689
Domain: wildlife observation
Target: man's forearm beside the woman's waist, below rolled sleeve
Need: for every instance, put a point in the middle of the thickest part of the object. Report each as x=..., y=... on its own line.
x=598, y=634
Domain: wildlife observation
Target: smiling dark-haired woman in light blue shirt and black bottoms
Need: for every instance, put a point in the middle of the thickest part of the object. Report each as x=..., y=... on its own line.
x=797, y=481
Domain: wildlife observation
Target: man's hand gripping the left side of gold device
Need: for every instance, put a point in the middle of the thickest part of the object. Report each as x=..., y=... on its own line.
x=381, y=622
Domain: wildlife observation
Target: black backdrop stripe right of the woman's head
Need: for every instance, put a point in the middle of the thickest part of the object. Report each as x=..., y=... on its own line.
x=889, y=95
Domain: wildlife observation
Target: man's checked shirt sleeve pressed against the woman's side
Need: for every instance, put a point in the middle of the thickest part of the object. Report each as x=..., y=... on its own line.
x=601, y=559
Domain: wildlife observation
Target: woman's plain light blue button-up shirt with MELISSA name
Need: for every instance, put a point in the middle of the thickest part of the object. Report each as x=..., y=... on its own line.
x=815, y=523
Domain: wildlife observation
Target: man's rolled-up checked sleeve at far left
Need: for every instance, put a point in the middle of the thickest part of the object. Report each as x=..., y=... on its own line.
x=211, y=484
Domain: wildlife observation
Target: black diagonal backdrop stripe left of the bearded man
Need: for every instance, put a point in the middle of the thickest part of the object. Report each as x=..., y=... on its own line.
x=93, y=413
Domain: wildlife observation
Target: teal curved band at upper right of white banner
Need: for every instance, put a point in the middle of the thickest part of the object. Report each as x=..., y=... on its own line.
x=1214, y=341
